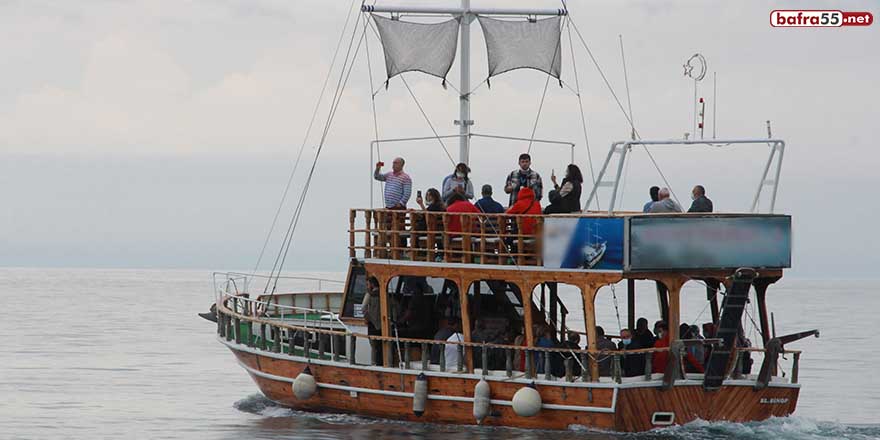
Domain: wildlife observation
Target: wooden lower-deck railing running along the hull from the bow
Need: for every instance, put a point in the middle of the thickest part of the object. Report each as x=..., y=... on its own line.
x=237, y=323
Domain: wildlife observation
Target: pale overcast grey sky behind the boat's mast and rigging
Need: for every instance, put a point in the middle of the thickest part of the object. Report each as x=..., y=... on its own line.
x=161, y=134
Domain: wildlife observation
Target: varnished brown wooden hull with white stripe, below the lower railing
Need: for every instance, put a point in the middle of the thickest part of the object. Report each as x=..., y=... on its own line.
x=387, y=393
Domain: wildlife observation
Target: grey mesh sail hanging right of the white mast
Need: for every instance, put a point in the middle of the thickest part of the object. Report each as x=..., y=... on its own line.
x=523, y=44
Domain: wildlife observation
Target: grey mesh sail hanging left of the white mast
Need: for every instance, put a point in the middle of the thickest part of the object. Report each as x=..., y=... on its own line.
x=428, y=48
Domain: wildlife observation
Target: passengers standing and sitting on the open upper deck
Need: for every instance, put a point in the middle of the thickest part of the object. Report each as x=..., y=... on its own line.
x=525, y=190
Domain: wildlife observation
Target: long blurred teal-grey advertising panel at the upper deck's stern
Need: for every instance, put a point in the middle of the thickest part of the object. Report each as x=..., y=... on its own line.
x=658, y=243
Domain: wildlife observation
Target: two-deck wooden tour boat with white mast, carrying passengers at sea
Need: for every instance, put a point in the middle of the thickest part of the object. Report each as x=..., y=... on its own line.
x=312, y=351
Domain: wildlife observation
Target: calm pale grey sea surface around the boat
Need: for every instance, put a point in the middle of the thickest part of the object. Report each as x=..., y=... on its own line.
x=89, y=353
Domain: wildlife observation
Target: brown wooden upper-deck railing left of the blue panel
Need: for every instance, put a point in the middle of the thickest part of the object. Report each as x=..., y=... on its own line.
x=427, y=236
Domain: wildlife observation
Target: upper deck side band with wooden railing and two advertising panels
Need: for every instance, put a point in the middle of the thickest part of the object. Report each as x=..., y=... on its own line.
x=620, y=242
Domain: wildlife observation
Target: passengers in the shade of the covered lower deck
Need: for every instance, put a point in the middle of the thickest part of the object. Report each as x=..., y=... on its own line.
x=418, y=313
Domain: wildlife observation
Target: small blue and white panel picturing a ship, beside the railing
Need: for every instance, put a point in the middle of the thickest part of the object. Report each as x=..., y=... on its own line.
x=589, y=243
